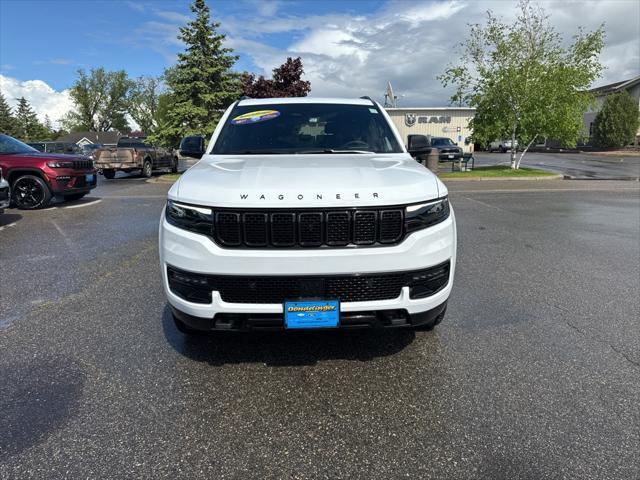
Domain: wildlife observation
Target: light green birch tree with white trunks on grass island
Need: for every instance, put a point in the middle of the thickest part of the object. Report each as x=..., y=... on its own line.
x=523, y=82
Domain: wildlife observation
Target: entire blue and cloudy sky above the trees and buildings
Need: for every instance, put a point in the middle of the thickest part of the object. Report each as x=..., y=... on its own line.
x=349, y=48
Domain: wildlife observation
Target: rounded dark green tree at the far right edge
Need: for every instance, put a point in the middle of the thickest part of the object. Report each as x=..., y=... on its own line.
x=616, y=124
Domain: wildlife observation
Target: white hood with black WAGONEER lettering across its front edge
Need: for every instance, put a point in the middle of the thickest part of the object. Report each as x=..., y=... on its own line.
x=321, y=180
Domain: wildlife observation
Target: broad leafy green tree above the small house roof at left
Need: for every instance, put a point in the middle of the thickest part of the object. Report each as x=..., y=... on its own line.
x=100, y=100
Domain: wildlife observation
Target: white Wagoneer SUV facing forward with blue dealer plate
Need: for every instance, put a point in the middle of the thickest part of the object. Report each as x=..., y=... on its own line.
x=307, y=213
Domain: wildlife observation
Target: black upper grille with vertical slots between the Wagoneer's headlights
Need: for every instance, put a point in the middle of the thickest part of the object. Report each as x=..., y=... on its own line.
x=304, y=228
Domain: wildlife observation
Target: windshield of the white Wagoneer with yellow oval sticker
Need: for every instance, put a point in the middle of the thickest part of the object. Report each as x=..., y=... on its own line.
x=305, y=128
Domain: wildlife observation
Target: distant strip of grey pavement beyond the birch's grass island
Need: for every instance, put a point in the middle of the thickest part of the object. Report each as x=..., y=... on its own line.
x=579, y=166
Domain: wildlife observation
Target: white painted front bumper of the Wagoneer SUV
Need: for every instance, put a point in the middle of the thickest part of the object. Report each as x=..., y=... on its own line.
x=196, y=253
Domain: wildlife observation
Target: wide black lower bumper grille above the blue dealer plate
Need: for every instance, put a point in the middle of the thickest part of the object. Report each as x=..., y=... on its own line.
x=197, y=287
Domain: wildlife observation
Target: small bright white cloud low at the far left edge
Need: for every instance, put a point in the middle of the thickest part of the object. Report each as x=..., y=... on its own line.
x=44, y=99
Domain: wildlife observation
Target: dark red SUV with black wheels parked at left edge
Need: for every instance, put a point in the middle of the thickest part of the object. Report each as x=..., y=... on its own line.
x=36, y=177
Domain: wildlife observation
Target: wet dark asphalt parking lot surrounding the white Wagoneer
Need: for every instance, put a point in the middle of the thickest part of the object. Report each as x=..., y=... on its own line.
x=534, y=373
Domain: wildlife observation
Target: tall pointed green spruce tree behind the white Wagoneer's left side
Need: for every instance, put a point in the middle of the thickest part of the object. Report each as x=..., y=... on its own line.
x=201, y=84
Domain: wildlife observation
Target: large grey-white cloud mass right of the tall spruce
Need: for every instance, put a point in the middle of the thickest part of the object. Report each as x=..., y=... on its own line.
x=411, y=43
